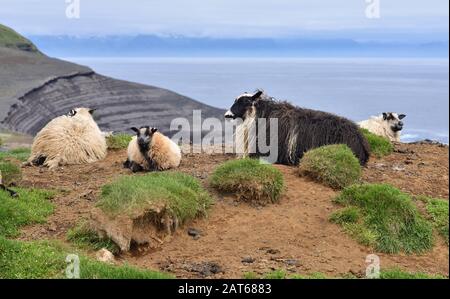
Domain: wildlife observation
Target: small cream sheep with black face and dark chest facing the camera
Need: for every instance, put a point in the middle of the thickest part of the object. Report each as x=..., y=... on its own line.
x=150, y=150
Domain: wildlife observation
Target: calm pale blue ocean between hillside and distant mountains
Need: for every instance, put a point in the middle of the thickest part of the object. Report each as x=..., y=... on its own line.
x=354, y=88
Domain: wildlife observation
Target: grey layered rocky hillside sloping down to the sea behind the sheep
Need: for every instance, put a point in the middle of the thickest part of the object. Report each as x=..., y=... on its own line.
x=35, y=88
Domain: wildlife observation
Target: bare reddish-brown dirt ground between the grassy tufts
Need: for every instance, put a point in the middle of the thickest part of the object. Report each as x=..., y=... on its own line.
x=294, y=235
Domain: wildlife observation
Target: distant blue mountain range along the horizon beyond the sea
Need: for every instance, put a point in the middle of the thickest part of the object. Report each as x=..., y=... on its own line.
x=175, y=46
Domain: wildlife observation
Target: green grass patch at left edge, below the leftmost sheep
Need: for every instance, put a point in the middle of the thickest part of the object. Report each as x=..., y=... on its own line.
x=33, y=206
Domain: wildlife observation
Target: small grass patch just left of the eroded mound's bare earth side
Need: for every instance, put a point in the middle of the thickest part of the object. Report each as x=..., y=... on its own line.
x=85, y=237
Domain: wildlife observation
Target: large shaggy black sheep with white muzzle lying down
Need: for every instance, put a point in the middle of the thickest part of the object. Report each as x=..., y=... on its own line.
x=299, y=129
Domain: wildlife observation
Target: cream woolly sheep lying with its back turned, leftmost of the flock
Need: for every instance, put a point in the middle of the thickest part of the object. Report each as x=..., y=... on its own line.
x=74, y=138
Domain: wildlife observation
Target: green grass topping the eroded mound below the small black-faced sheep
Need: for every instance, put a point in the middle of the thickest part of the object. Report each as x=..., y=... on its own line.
x=181, y=194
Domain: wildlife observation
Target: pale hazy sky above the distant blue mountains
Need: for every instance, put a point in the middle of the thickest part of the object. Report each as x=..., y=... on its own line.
x=224, y=18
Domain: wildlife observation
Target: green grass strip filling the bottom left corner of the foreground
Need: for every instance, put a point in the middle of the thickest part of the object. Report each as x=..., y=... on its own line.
x=48, y=260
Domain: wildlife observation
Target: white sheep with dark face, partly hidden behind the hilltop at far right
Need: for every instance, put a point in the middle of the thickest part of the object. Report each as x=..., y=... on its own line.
x=388, y=124
